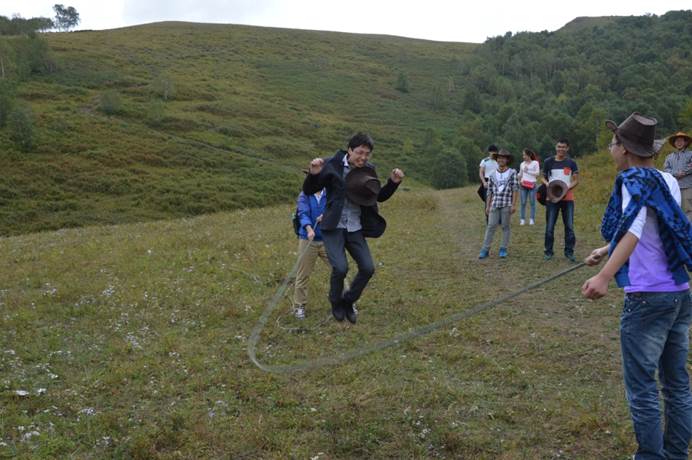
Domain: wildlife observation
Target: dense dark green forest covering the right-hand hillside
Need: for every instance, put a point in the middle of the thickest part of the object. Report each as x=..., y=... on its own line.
x=529, y=88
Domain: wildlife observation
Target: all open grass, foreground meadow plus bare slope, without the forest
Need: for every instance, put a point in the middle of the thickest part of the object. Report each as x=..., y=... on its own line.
x=130, y=340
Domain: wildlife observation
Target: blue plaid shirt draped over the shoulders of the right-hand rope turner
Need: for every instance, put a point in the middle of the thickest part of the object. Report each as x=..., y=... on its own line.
x=648, y=188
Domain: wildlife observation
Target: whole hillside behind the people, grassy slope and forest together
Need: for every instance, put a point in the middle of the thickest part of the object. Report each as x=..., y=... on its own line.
x=176, y=119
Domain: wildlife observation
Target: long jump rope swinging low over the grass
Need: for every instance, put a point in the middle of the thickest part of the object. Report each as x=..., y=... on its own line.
x=340, y=358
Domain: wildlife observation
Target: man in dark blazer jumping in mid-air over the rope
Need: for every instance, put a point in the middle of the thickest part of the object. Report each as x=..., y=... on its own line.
x=351, y=215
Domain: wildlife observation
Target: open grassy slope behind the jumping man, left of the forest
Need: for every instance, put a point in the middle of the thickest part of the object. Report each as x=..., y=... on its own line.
x=206, y=118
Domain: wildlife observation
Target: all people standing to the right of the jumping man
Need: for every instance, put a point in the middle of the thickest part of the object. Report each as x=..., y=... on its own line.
x=649, y=251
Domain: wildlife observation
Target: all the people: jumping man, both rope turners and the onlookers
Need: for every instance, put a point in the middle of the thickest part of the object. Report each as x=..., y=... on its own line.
x=649, y=252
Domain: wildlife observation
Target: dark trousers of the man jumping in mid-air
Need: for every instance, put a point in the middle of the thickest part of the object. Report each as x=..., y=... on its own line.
x=337, y=242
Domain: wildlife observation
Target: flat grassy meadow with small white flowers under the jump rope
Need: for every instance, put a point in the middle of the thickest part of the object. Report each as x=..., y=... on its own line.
x=130, y=342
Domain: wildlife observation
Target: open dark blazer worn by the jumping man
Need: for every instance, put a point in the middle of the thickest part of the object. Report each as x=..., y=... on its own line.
x=331, y=178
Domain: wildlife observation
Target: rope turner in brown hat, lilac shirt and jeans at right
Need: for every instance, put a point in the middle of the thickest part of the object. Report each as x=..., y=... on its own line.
x=650, y=251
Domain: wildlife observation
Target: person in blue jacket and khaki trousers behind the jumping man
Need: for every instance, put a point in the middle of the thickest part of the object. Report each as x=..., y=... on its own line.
x=310, y=246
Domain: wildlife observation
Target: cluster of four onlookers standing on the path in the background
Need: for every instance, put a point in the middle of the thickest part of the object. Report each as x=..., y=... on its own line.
x=501, y=185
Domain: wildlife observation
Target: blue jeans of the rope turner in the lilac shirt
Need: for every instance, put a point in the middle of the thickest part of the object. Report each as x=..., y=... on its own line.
x=654, y=335
